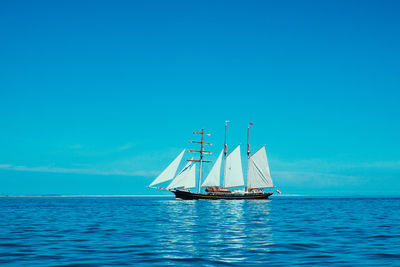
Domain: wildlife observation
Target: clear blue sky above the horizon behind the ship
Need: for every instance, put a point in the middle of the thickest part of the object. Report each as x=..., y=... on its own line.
x=97, y=97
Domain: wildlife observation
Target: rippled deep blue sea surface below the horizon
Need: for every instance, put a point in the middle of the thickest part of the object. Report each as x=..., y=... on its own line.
x=283, y=231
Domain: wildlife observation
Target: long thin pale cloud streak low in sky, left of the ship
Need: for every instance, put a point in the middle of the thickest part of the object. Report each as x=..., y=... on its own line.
x=50, y=169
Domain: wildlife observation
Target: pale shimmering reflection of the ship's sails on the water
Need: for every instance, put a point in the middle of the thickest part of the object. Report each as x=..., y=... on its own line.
x=220, y=230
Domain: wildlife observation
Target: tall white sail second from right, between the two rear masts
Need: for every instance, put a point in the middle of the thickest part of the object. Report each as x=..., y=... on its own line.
x=234, y=173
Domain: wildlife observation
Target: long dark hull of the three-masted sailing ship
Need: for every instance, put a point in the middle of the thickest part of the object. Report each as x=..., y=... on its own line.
x=190, y=195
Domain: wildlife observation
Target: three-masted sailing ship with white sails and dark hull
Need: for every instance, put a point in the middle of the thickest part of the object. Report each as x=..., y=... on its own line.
x=180, y=183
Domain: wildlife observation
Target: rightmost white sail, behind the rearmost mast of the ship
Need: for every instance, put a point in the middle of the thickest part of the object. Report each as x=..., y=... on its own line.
x=258, y=174
